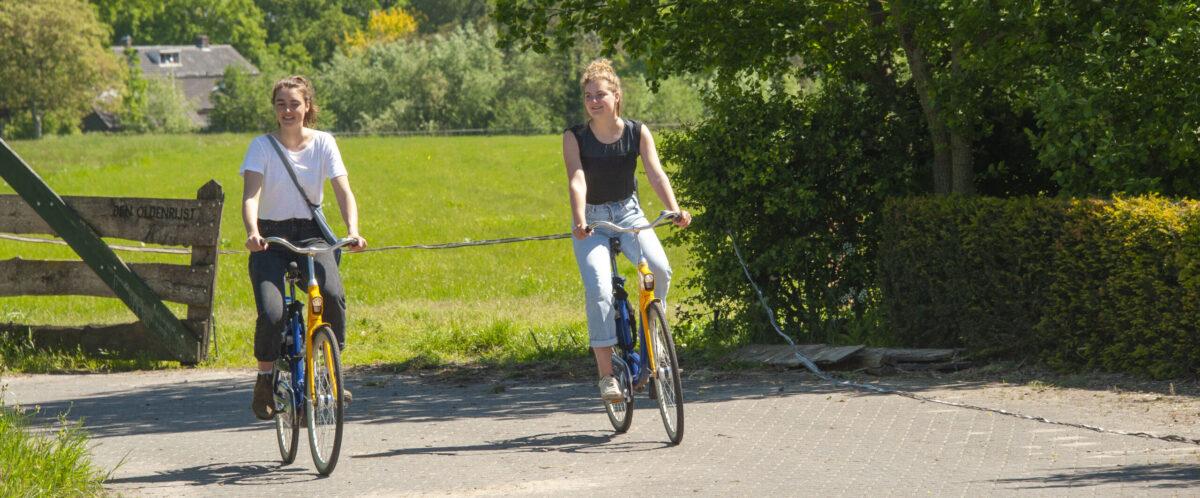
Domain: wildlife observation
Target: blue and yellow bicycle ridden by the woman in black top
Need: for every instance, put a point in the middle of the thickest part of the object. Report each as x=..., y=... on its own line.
x=635, y=364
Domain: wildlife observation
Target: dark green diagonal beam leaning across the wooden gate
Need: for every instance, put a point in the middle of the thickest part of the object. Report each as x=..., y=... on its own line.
x=70, y=226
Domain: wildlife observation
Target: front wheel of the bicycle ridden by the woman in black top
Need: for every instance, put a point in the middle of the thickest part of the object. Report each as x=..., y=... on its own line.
x=667, y=376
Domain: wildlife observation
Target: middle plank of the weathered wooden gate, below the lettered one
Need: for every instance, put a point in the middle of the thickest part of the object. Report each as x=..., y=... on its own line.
x=172, y=283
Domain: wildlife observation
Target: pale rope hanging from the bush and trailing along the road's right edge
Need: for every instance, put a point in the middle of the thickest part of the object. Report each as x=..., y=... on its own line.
x=808, y=364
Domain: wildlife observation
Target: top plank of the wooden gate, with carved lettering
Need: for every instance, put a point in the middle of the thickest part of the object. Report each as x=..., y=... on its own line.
x=176, y=223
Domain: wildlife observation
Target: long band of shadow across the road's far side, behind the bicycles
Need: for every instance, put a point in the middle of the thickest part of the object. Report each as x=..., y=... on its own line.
x=224, y=404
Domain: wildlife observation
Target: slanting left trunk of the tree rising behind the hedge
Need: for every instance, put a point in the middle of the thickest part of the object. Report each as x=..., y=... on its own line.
x=938, y=133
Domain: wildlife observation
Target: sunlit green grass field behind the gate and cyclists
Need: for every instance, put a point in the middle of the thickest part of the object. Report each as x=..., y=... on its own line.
x=503, y=303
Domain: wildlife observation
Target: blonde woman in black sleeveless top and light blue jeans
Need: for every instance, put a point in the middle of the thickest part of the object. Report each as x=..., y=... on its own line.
x=602, y=161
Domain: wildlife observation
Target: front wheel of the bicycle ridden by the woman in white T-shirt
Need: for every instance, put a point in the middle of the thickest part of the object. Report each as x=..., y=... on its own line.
x=326, y=409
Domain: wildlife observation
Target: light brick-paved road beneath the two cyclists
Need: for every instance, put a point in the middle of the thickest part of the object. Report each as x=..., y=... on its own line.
x=191, y=434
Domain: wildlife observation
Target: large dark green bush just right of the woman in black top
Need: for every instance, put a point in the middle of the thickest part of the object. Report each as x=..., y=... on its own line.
x=791, y=178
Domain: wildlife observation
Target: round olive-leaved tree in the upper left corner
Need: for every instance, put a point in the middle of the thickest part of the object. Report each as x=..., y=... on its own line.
x=55, y=58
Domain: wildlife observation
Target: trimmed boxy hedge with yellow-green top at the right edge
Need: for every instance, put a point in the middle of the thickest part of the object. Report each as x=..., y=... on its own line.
x=1079, y=285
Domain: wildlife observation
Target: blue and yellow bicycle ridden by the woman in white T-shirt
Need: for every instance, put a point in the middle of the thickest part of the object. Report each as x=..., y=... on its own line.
x=309, y=373
